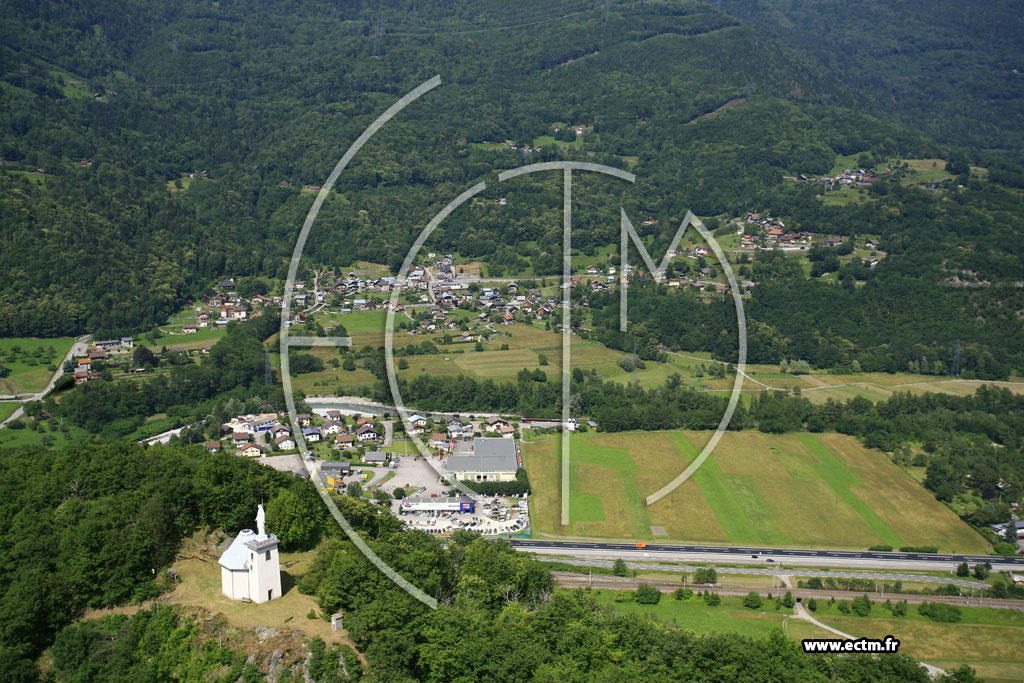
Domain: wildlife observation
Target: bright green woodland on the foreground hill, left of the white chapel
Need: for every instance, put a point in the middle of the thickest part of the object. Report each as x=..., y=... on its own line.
x=89, y=527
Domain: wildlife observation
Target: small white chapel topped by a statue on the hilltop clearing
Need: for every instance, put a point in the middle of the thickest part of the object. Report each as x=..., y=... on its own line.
x=250, y=570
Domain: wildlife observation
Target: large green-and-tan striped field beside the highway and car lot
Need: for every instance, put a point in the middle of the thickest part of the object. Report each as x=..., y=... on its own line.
x=794, y=490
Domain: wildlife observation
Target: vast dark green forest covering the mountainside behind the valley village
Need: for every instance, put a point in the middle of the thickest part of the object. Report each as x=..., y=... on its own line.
x=272, y=95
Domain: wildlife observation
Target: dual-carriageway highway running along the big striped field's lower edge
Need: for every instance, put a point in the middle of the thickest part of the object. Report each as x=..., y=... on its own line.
x=765, y=557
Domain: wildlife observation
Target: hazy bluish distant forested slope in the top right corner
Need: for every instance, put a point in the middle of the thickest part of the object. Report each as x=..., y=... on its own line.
x=952, y=69
